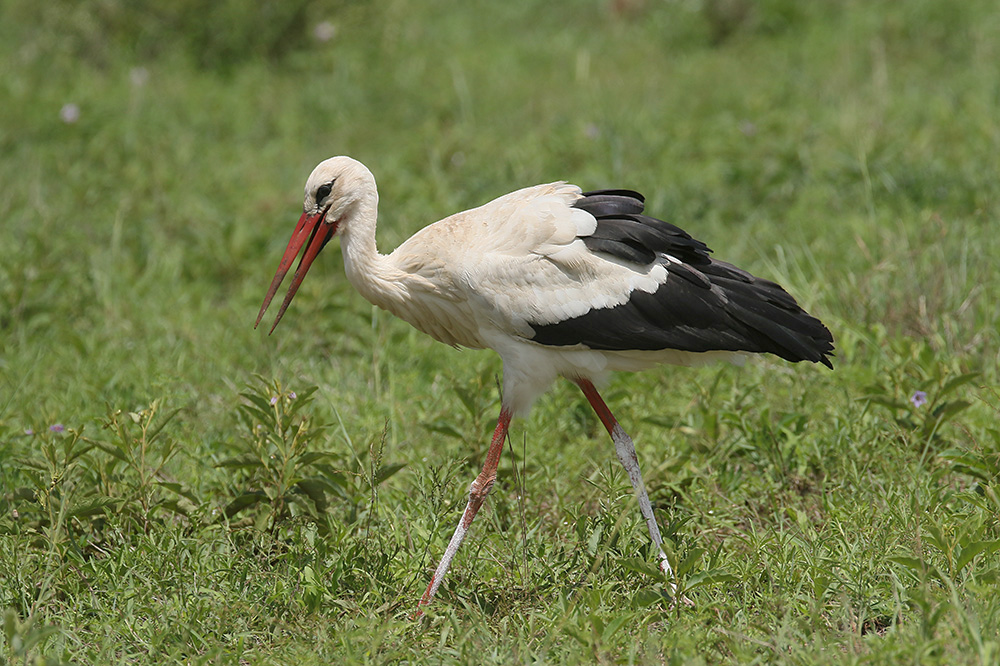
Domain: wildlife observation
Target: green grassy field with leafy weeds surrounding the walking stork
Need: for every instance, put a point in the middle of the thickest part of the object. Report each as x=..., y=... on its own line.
x=172, y=491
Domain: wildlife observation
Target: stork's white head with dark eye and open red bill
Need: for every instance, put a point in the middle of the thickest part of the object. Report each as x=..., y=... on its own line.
x=333, y=193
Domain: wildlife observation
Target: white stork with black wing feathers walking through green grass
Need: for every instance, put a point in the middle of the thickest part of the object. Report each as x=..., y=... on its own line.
x=560, y=283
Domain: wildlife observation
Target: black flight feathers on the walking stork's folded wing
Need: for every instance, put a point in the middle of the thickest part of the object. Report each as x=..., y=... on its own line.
x=704, y=305
